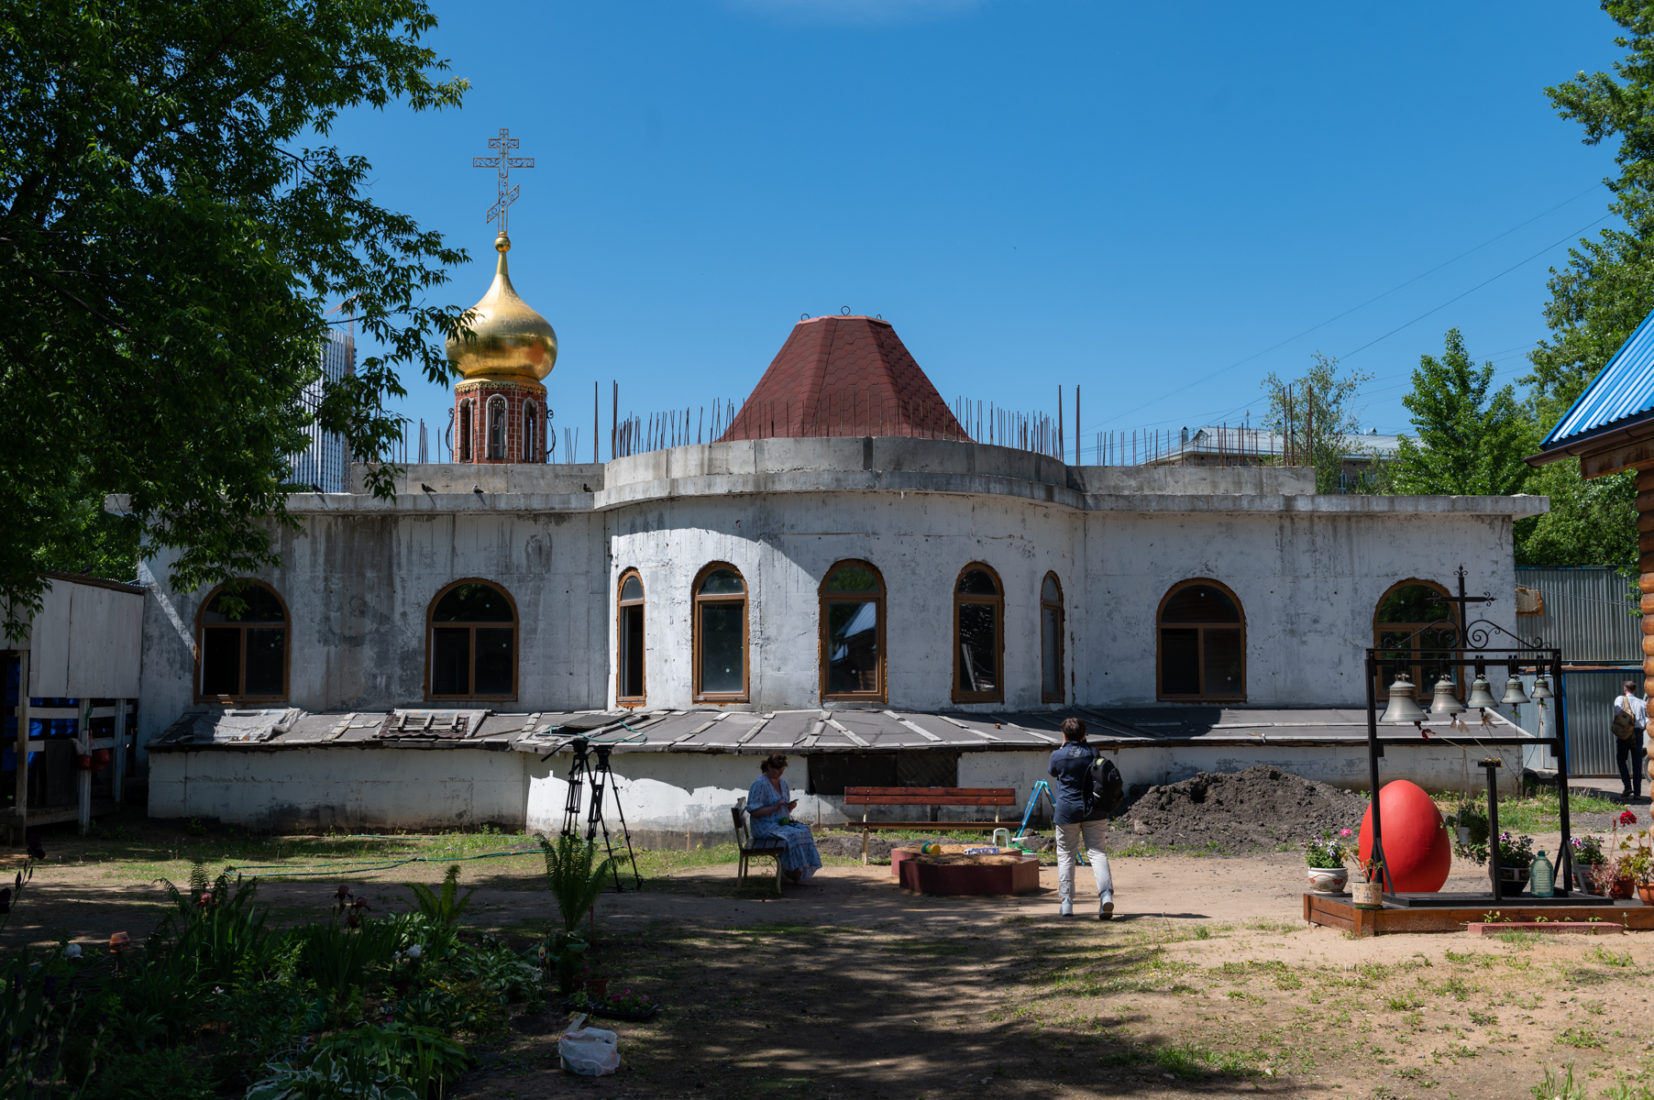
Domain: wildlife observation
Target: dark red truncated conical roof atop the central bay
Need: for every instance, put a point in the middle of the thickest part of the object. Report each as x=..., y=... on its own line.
x=844, y=376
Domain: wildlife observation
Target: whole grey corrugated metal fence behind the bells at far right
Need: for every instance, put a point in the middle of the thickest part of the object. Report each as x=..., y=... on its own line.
x=1592, y=616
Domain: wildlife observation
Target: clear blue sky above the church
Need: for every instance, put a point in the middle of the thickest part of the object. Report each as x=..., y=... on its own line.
x=1157, y=203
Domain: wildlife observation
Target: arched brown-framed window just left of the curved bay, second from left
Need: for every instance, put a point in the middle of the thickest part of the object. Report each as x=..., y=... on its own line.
x=472, y=643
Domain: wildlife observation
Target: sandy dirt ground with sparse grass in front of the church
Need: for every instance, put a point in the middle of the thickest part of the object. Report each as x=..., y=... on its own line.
x=1208, y=983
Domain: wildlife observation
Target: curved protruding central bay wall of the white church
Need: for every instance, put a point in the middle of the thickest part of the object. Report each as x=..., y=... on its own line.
x=785, y=545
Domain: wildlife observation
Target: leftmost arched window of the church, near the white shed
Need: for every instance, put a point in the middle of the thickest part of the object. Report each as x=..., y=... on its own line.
x=242, y=644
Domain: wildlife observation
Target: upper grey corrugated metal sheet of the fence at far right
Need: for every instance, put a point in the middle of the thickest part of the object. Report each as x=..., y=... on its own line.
x=1589, y=615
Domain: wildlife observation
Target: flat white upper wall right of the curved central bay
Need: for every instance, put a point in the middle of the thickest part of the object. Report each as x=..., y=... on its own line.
x=1307, y=583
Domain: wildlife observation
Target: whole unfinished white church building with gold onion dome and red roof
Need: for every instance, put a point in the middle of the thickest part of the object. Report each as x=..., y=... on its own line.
x=844, y=576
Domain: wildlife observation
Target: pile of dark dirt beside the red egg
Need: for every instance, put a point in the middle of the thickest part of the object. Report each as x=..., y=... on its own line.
x=1256, y=810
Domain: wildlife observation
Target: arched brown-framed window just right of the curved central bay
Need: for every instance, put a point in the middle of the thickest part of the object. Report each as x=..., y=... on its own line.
x=1202, y=644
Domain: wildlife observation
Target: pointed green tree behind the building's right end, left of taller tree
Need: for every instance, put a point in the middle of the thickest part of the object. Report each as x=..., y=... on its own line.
x=1471, y=439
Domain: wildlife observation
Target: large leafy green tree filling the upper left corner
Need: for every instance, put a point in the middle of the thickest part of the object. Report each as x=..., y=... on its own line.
x=173, y=229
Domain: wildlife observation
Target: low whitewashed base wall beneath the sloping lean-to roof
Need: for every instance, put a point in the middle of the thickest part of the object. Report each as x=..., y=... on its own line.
x=669, y=800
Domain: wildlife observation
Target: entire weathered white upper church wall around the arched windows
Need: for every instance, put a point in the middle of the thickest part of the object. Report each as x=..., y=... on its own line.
x=361, y=573
